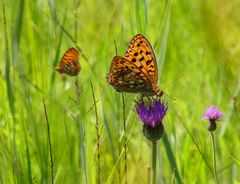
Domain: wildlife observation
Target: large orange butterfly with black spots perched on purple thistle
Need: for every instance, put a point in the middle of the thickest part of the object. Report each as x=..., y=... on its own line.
x=136, y=71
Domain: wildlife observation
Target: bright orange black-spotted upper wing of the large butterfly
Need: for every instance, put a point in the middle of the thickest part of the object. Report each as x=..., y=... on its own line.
x=140, y=53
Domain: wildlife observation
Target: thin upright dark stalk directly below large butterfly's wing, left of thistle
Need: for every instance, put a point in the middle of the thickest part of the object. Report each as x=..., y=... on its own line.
x=125, y=138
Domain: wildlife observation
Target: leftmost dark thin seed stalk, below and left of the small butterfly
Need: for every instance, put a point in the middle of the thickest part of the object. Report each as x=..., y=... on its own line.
x=49, y=140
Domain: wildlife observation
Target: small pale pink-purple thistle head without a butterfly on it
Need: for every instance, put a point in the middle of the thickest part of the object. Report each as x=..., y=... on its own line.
x=212, y=114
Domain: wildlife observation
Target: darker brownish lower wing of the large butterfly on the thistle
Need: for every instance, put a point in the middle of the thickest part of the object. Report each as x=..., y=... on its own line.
x=128, y=77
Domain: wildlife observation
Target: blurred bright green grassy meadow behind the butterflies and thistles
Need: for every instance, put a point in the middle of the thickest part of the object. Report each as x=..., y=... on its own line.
x=62, y=129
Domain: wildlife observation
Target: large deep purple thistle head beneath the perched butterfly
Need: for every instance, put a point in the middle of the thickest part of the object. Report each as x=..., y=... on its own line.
x=151, y=114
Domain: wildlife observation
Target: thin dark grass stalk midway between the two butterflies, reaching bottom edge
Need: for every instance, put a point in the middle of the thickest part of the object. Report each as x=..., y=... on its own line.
x=98, y=136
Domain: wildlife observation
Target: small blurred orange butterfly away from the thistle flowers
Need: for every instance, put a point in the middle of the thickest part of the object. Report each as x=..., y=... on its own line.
x=69, y=63
